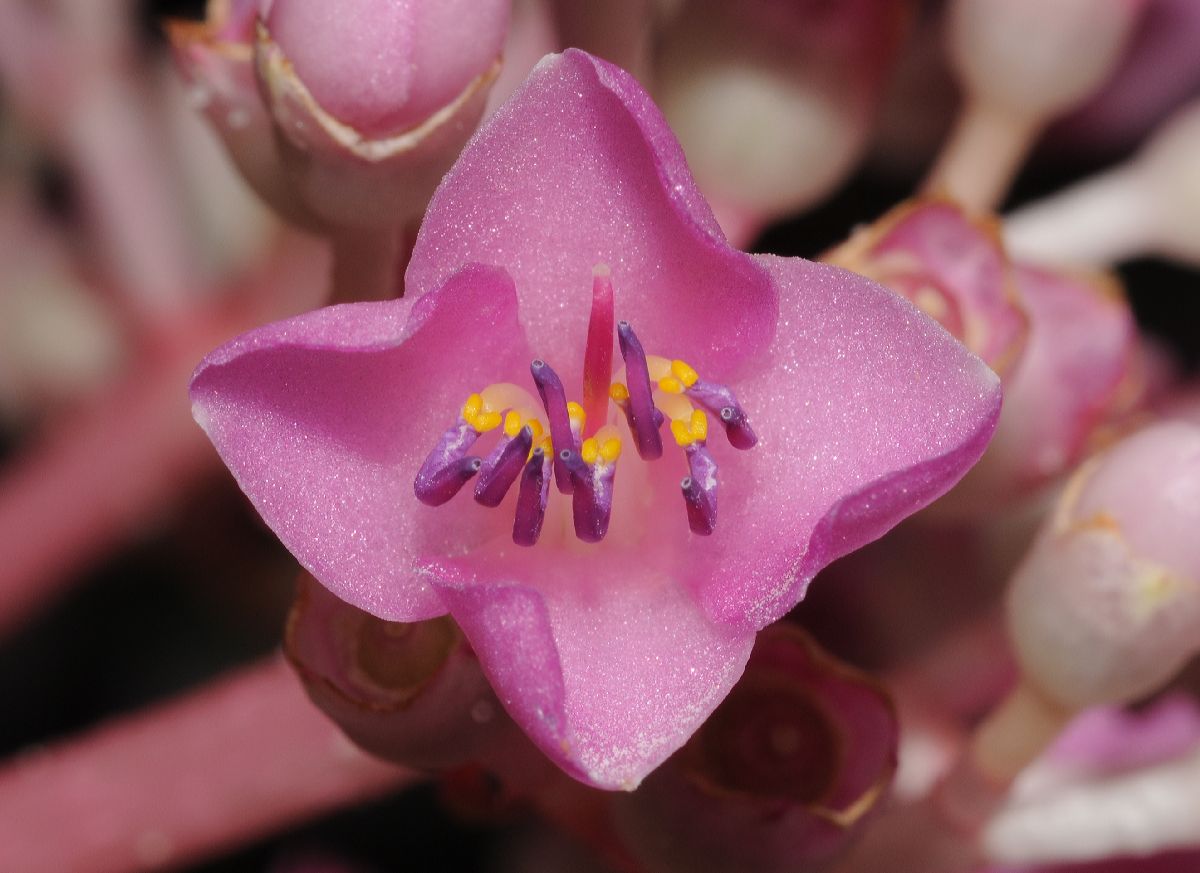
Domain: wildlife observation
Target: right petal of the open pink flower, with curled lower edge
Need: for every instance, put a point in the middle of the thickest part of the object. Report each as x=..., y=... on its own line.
x=866, y=412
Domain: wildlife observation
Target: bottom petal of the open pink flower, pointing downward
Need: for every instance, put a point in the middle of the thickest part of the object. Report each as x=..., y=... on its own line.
x=608, y=672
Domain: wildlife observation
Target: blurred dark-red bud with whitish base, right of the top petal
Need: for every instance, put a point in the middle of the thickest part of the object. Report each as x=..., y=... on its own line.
x=773, y=101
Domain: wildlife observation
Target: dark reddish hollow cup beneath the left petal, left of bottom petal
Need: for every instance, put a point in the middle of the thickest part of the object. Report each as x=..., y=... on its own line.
x=411, y=694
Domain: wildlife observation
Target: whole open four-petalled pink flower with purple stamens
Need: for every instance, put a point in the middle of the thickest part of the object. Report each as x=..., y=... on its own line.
x=609, y=655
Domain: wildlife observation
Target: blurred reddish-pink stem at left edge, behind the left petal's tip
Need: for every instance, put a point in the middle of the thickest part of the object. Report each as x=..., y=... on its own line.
x=113, y=469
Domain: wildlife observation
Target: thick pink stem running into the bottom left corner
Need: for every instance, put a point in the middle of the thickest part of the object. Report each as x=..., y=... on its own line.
x=233, y=762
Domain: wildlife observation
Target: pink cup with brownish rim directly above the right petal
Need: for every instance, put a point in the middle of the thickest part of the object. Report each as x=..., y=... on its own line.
x=952, y=267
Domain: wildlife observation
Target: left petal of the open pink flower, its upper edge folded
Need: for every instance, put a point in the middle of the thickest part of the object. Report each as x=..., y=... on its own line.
x=325, y=420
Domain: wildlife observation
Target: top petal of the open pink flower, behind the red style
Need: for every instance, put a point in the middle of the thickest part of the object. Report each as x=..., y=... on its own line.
x=580, y=170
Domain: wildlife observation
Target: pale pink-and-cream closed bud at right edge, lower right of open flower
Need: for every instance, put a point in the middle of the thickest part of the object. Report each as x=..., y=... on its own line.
x=1106, y=606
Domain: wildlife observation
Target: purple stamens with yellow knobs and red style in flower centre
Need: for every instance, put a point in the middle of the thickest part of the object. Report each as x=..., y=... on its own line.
x=579, y=444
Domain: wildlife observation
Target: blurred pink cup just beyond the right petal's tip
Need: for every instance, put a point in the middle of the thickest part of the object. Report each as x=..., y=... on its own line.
x=1077, y=374
